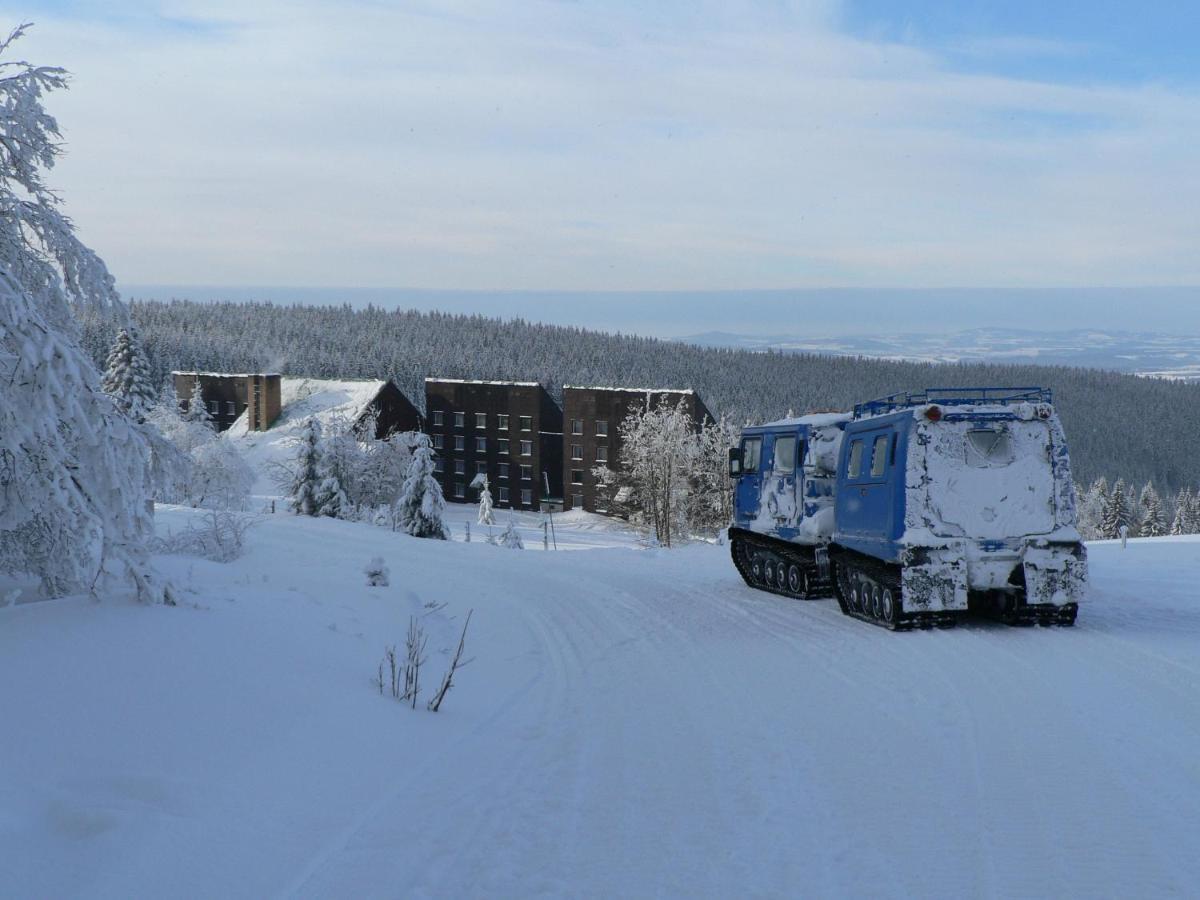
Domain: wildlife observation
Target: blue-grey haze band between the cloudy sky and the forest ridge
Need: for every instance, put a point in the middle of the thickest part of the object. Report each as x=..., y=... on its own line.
x=819, y=313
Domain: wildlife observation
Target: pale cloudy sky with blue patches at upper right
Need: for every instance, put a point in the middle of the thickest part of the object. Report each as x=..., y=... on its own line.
x=555, y=146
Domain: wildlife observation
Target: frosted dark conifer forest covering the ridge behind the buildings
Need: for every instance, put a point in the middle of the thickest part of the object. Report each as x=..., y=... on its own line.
x=1119, y=425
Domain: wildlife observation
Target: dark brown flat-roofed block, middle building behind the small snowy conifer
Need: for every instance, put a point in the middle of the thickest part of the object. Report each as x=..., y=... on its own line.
x=511, y=430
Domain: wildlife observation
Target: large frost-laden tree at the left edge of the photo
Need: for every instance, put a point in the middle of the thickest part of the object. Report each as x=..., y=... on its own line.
x=74, y=471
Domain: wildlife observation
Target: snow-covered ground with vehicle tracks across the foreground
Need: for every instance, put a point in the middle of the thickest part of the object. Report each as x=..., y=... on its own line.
x=634, y=723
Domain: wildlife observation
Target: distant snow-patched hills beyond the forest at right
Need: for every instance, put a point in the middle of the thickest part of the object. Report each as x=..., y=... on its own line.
x=1136, y=353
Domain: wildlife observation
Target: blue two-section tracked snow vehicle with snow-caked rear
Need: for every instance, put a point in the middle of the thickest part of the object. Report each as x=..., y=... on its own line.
x=915, y=508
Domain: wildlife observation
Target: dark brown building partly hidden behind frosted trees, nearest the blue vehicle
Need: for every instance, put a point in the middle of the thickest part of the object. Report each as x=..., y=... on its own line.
x=592, y=419
